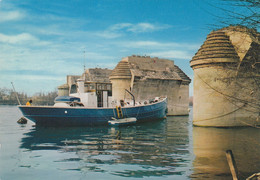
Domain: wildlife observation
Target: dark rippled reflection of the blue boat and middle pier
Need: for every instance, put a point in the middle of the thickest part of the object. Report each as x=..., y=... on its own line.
x=150, y=149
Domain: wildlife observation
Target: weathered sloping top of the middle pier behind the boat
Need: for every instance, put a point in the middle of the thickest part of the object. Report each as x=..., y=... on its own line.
x=143, y=67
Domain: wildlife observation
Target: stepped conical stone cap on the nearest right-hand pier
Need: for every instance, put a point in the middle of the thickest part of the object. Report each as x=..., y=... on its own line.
x=217, y=48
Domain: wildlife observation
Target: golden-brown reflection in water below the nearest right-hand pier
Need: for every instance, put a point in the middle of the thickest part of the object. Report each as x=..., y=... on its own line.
x=210, y=144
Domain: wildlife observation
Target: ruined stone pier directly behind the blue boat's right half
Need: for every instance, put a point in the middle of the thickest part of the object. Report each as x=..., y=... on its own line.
x=147, y=78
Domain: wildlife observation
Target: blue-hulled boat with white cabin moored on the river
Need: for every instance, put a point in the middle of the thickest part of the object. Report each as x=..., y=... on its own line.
x=84, y=108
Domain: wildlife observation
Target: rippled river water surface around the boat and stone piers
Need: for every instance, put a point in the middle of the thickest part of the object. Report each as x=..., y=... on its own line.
x=167, y=149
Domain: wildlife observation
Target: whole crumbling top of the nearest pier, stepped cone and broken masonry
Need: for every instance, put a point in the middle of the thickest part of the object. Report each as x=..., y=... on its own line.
x=230, y=44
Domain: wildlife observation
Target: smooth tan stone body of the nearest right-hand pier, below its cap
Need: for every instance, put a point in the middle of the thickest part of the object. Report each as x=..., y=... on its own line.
x=219, y=99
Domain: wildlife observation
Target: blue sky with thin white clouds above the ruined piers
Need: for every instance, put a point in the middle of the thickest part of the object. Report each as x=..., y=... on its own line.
x=41, y=42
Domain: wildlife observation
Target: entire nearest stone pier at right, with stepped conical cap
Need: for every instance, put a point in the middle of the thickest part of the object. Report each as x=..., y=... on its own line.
x=227, y=79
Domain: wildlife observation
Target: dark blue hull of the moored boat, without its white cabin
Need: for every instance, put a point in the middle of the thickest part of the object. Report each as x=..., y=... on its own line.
x=80, y=116
